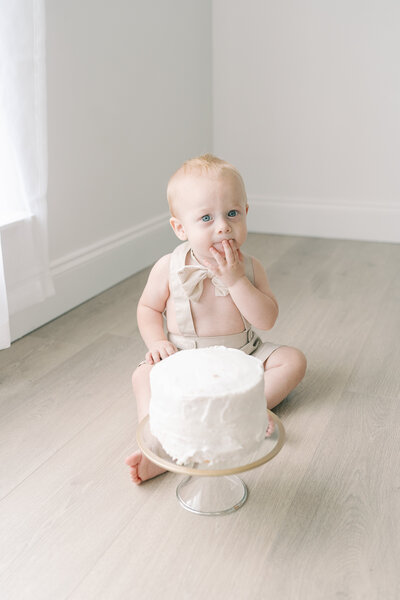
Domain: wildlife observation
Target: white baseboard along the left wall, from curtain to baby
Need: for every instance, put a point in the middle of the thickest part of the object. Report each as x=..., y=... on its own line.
x=89, y=271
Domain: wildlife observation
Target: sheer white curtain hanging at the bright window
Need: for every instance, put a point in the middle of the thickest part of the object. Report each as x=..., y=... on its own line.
x=24, y=265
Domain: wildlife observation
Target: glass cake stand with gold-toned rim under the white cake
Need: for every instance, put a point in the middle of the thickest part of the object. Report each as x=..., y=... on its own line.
x=208, y=490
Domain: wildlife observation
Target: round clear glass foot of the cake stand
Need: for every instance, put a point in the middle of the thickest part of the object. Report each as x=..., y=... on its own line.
x=212, y=496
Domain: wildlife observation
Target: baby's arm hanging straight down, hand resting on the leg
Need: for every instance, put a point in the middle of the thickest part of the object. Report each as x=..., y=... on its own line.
x=149, y=313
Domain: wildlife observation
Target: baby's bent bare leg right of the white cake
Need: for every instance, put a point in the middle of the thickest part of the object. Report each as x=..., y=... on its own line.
x=284, y=369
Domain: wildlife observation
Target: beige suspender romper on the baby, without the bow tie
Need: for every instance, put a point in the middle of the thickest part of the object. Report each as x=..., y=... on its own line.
x=247, y=340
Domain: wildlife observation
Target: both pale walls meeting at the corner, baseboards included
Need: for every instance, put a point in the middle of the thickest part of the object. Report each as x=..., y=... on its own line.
x=301, y=96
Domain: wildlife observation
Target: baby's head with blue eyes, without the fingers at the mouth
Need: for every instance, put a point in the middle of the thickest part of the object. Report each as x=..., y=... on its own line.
x=208, y=203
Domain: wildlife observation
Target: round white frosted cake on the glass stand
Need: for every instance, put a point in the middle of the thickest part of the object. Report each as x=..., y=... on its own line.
x=208, y=405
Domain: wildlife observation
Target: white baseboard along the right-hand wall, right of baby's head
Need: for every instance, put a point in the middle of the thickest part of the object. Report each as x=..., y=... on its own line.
x=286, y=216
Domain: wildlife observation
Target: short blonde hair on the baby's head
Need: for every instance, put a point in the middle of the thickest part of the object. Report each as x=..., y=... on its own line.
x=201, y=165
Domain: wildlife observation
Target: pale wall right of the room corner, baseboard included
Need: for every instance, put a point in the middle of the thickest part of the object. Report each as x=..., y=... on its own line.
x=306, y=103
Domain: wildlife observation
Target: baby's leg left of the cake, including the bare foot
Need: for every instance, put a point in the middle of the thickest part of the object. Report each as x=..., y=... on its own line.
x=141, y=468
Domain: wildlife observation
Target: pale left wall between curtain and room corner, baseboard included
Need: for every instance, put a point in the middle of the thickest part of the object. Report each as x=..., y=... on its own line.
x=129, y=99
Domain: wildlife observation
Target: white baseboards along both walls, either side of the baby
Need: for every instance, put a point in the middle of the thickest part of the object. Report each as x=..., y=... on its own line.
x=89, y=271
